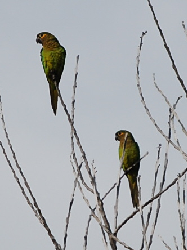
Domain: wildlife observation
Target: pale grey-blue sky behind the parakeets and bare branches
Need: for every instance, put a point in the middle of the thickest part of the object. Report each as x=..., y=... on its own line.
x=106, y=35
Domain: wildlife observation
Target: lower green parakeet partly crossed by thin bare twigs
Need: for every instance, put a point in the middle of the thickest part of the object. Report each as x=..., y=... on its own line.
x=132, y=155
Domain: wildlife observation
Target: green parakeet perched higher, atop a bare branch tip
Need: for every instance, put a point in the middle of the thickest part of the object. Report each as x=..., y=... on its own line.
x=53, y=60
